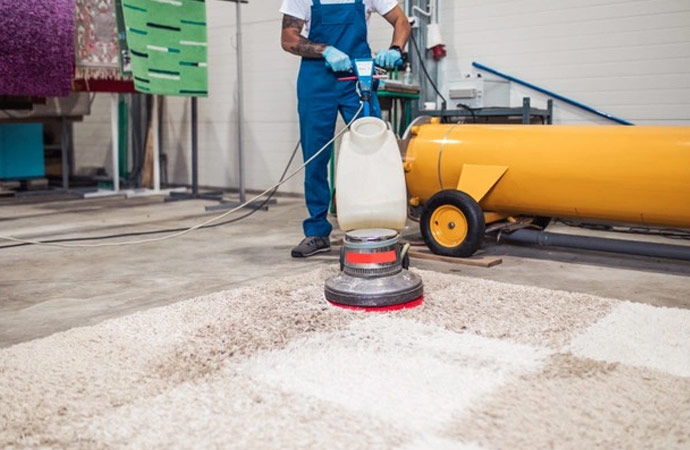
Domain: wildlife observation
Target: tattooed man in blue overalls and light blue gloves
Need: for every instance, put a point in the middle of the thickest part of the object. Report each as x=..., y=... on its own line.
x=337, y=33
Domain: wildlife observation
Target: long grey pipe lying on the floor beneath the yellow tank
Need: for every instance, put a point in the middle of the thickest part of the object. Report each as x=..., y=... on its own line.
x=547, y=239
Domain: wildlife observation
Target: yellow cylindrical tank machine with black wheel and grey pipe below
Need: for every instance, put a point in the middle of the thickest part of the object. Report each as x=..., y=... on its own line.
x=465, y=177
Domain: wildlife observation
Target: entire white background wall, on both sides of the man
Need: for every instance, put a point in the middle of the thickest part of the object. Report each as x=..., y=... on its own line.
x=630, y=58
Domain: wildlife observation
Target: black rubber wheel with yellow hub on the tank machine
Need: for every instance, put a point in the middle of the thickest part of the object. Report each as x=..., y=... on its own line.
x=452, y=224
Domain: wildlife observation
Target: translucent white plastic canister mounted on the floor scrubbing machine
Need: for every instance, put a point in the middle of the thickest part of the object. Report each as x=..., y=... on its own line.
x=370, y=181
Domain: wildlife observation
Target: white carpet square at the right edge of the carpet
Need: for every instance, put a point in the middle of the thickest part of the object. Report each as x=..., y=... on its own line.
x=640, y=335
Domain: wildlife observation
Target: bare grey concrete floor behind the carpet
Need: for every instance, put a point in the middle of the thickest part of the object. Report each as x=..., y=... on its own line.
x=44, y=290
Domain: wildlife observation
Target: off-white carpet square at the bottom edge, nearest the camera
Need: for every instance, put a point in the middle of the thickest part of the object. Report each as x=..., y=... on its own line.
x=230, y=411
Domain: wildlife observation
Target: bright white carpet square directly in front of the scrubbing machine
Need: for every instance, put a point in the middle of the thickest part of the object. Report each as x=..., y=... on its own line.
x=412, y=375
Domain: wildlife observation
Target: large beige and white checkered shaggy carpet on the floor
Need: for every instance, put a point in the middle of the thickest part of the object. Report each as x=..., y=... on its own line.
x=482, y=365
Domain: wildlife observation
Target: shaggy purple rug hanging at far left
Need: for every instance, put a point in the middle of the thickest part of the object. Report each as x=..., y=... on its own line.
x=37, y=50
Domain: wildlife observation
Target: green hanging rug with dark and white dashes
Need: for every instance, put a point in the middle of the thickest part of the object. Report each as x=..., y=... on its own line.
x=168, y=46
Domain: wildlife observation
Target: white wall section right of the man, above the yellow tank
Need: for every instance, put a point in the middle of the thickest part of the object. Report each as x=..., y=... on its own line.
x=628, y=58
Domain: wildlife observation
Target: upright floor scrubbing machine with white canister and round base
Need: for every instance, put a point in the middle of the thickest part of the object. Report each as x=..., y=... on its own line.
x=372, y=209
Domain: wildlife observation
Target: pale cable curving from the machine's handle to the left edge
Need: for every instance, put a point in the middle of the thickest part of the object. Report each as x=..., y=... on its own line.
x=205, y=224
